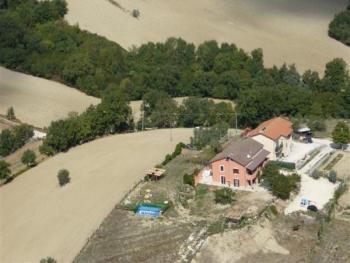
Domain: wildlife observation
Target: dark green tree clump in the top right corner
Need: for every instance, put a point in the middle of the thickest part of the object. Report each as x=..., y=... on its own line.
x=339, y=28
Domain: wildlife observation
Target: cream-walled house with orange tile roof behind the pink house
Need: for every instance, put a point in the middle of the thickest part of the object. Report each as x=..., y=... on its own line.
x=276, y=136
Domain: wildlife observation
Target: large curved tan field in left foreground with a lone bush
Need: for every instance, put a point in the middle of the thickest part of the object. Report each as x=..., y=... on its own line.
x=39, y=218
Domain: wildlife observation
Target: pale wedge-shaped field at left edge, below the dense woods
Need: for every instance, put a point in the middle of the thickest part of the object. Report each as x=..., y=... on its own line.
x=37, y=101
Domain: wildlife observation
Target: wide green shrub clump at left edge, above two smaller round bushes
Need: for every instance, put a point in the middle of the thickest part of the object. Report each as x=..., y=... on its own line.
x=15, y=138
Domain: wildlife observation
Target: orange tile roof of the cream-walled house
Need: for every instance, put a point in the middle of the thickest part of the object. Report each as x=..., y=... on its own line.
x=273, y=129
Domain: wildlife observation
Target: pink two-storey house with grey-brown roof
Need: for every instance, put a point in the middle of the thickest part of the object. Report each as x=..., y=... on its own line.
x=237, y=166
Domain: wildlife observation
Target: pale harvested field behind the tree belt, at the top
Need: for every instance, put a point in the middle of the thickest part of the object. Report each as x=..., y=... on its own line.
x=288, y=31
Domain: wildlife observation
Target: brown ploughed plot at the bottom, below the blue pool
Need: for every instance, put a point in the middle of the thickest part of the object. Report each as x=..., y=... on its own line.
x=124, y=237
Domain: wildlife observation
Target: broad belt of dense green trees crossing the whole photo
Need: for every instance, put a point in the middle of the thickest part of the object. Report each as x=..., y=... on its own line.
x=35, y=39
